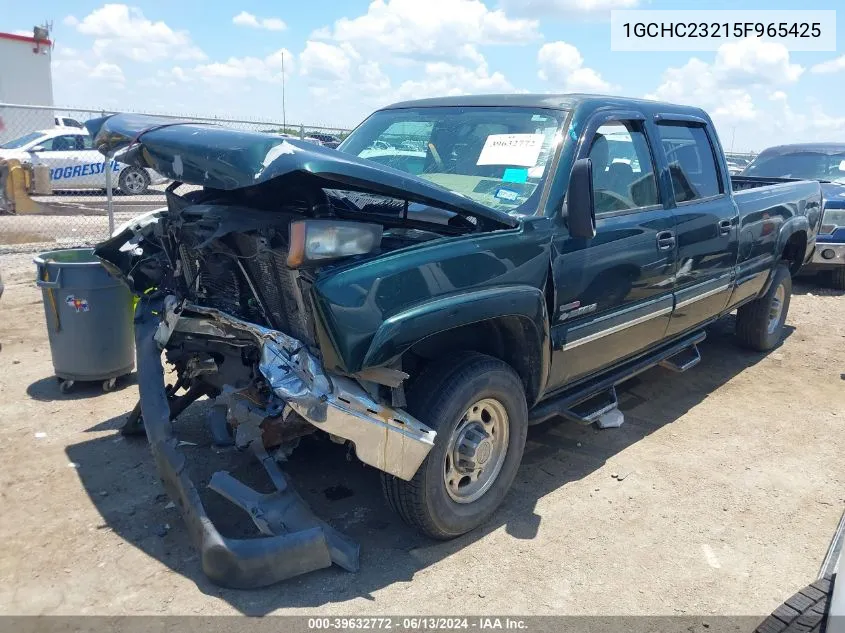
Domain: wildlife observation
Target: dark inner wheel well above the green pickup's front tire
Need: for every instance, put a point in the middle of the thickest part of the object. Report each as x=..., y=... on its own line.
x=512, y=339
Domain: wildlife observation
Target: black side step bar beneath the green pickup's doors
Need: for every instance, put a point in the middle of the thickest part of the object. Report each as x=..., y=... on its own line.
x=582, y=402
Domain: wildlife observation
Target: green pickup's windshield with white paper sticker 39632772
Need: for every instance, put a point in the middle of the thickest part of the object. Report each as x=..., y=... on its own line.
x=496, y=156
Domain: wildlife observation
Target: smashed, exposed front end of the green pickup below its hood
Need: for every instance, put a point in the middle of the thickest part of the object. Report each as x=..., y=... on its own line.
x=215, y=299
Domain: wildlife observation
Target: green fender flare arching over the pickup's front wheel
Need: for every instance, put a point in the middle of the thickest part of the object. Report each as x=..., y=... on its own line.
x=401, y=331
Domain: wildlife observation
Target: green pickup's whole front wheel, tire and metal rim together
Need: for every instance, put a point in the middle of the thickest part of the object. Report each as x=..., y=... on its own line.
x=443, y=397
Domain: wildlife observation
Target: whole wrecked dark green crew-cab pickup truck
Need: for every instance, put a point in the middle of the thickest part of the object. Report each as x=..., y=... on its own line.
x=427, y=317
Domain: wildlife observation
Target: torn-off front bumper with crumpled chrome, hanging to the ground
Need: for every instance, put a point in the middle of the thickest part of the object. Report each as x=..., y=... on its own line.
x=295, y=541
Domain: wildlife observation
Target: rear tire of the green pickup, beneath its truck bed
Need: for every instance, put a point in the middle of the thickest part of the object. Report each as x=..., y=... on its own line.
x=753, y=319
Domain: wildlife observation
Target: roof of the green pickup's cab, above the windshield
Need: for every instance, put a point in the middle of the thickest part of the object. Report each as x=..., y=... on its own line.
x=555, y=101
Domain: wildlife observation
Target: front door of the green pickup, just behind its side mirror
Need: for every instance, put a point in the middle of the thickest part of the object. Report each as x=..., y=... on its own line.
x=613, y=293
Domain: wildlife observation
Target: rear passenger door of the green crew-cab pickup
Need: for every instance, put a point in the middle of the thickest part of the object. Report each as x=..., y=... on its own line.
x=706, y=221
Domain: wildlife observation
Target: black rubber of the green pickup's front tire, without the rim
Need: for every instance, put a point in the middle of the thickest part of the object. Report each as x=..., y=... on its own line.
x=439, y=397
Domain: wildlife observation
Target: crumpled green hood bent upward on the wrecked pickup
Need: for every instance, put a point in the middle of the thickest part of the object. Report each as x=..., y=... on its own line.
x=224, y=158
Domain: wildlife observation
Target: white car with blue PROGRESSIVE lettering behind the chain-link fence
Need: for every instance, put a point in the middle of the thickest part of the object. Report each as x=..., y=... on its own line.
x=74, y=163
